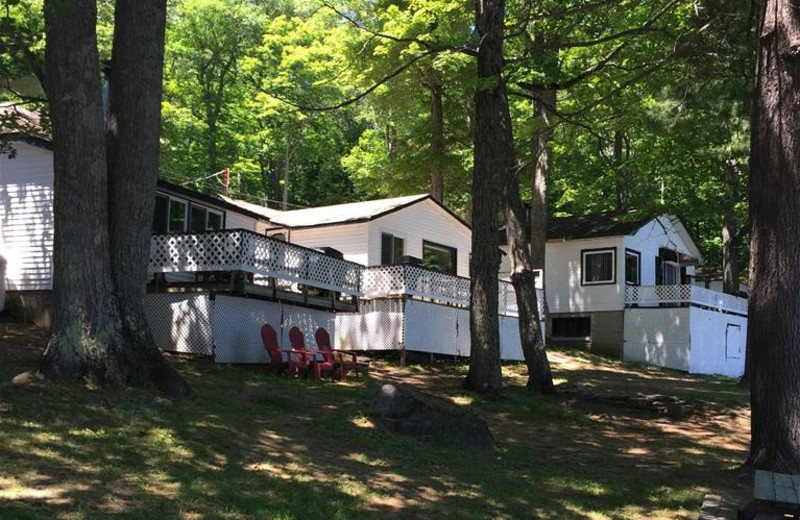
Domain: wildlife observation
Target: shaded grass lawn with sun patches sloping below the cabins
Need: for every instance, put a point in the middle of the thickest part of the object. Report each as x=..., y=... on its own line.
x=264, y=447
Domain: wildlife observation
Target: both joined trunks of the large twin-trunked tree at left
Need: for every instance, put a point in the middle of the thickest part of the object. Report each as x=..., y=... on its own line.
x=99, y=331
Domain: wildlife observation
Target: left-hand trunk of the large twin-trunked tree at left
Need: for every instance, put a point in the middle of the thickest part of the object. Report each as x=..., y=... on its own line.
x=86, y=328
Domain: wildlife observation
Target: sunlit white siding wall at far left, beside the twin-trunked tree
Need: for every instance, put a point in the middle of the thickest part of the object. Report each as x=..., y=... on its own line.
x=26, y=217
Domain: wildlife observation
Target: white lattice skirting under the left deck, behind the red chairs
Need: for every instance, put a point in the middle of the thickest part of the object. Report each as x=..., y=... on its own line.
x=227, y=327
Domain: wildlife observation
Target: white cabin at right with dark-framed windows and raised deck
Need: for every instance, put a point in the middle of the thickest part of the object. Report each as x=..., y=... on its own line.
x=623, y=285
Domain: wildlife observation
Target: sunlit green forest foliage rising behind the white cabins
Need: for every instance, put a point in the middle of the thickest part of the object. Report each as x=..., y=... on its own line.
x=245, y=82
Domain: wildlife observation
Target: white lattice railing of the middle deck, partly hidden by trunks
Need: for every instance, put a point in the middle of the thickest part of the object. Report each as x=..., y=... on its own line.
x=410, y=280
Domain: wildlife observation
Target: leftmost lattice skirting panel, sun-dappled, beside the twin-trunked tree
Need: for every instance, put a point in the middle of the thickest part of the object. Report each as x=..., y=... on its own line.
x=181, y=322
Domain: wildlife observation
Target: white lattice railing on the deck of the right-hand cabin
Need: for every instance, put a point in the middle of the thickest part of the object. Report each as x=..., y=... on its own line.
x=684, y=294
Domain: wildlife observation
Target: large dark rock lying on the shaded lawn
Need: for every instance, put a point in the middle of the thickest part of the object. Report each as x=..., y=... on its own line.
x=411, y=412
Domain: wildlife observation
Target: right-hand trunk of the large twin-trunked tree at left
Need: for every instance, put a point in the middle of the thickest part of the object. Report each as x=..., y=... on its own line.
x=133, y=137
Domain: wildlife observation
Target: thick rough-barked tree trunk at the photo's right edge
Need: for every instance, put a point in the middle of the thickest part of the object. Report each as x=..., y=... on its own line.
x=773, y=336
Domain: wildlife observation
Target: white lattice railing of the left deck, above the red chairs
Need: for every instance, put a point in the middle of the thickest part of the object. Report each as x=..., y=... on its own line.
x=242, y=250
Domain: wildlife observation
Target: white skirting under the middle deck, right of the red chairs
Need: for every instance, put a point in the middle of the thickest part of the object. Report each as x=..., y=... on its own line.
x=391, y=324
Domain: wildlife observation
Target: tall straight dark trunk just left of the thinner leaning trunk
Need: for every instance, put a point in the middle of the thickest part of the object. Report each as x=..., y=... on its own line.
x=487, y=177
